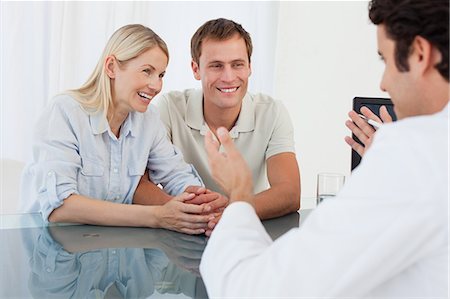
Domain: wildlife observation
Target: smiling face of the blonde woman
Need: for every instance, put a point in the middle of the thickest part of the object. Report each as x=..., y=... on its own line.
x=136, y=82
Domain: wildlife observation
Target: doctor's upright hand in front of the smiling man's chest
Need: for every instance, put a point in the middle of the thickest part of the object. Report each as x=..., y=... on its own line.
x=229, y=168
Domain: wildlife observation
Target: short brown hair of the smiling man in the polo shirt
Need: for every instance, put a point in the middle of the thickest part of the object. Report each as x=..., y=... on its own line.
x=218, y=29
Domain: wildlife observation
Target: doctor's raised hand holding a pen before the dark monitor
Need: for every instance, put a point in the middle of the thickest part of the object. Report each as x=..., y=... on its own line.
x=361, y=129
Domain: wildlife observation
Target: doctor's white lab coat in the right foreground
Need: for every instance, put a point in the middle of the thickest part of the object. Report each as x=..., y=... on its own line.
x=384, y=235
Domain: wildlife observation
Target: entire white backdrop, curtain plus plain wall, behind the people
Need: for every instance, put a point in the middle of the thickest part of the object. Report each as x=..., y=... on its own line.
x=314, y=56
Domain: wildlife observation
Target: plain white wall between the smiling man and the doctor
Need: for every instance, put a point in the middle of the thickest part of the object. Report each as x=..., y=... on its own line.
x=326, y=55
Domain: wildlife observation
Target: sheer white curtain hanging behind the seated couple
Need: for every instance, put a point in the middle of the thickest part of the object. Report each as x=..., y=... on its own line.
x=48, y=47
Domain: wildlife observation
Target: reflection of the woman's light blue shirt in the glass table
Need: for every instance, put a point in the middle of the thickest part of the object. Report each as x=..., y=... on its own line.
x=56, y=273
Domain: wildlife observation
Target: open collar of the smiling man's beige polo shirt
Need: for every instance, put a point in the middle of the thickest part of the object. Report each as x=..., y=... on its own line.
x=195, y=120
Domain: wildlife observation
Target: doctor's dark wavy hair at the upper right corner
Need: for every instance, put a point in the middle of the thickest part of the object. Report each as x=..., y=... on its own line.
x=406, y=19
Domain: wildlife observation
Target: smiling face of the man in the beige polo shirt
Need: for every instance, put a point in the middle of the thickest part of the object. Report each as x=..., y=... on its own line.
x=224, y=70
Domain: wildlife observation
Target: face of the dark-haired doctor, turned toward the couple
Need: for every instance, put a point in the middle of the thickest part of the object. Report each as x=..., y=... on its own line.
x=403, y=87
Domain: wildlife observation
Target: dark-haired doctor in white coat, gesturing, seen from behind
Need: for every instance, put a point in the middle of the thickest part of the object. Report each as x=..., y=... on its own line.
x=386, y=233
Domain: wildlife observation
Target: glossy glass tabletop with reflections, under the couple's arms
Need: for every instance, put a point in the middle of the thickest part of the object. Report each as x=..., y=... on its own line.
x=83, y=261
